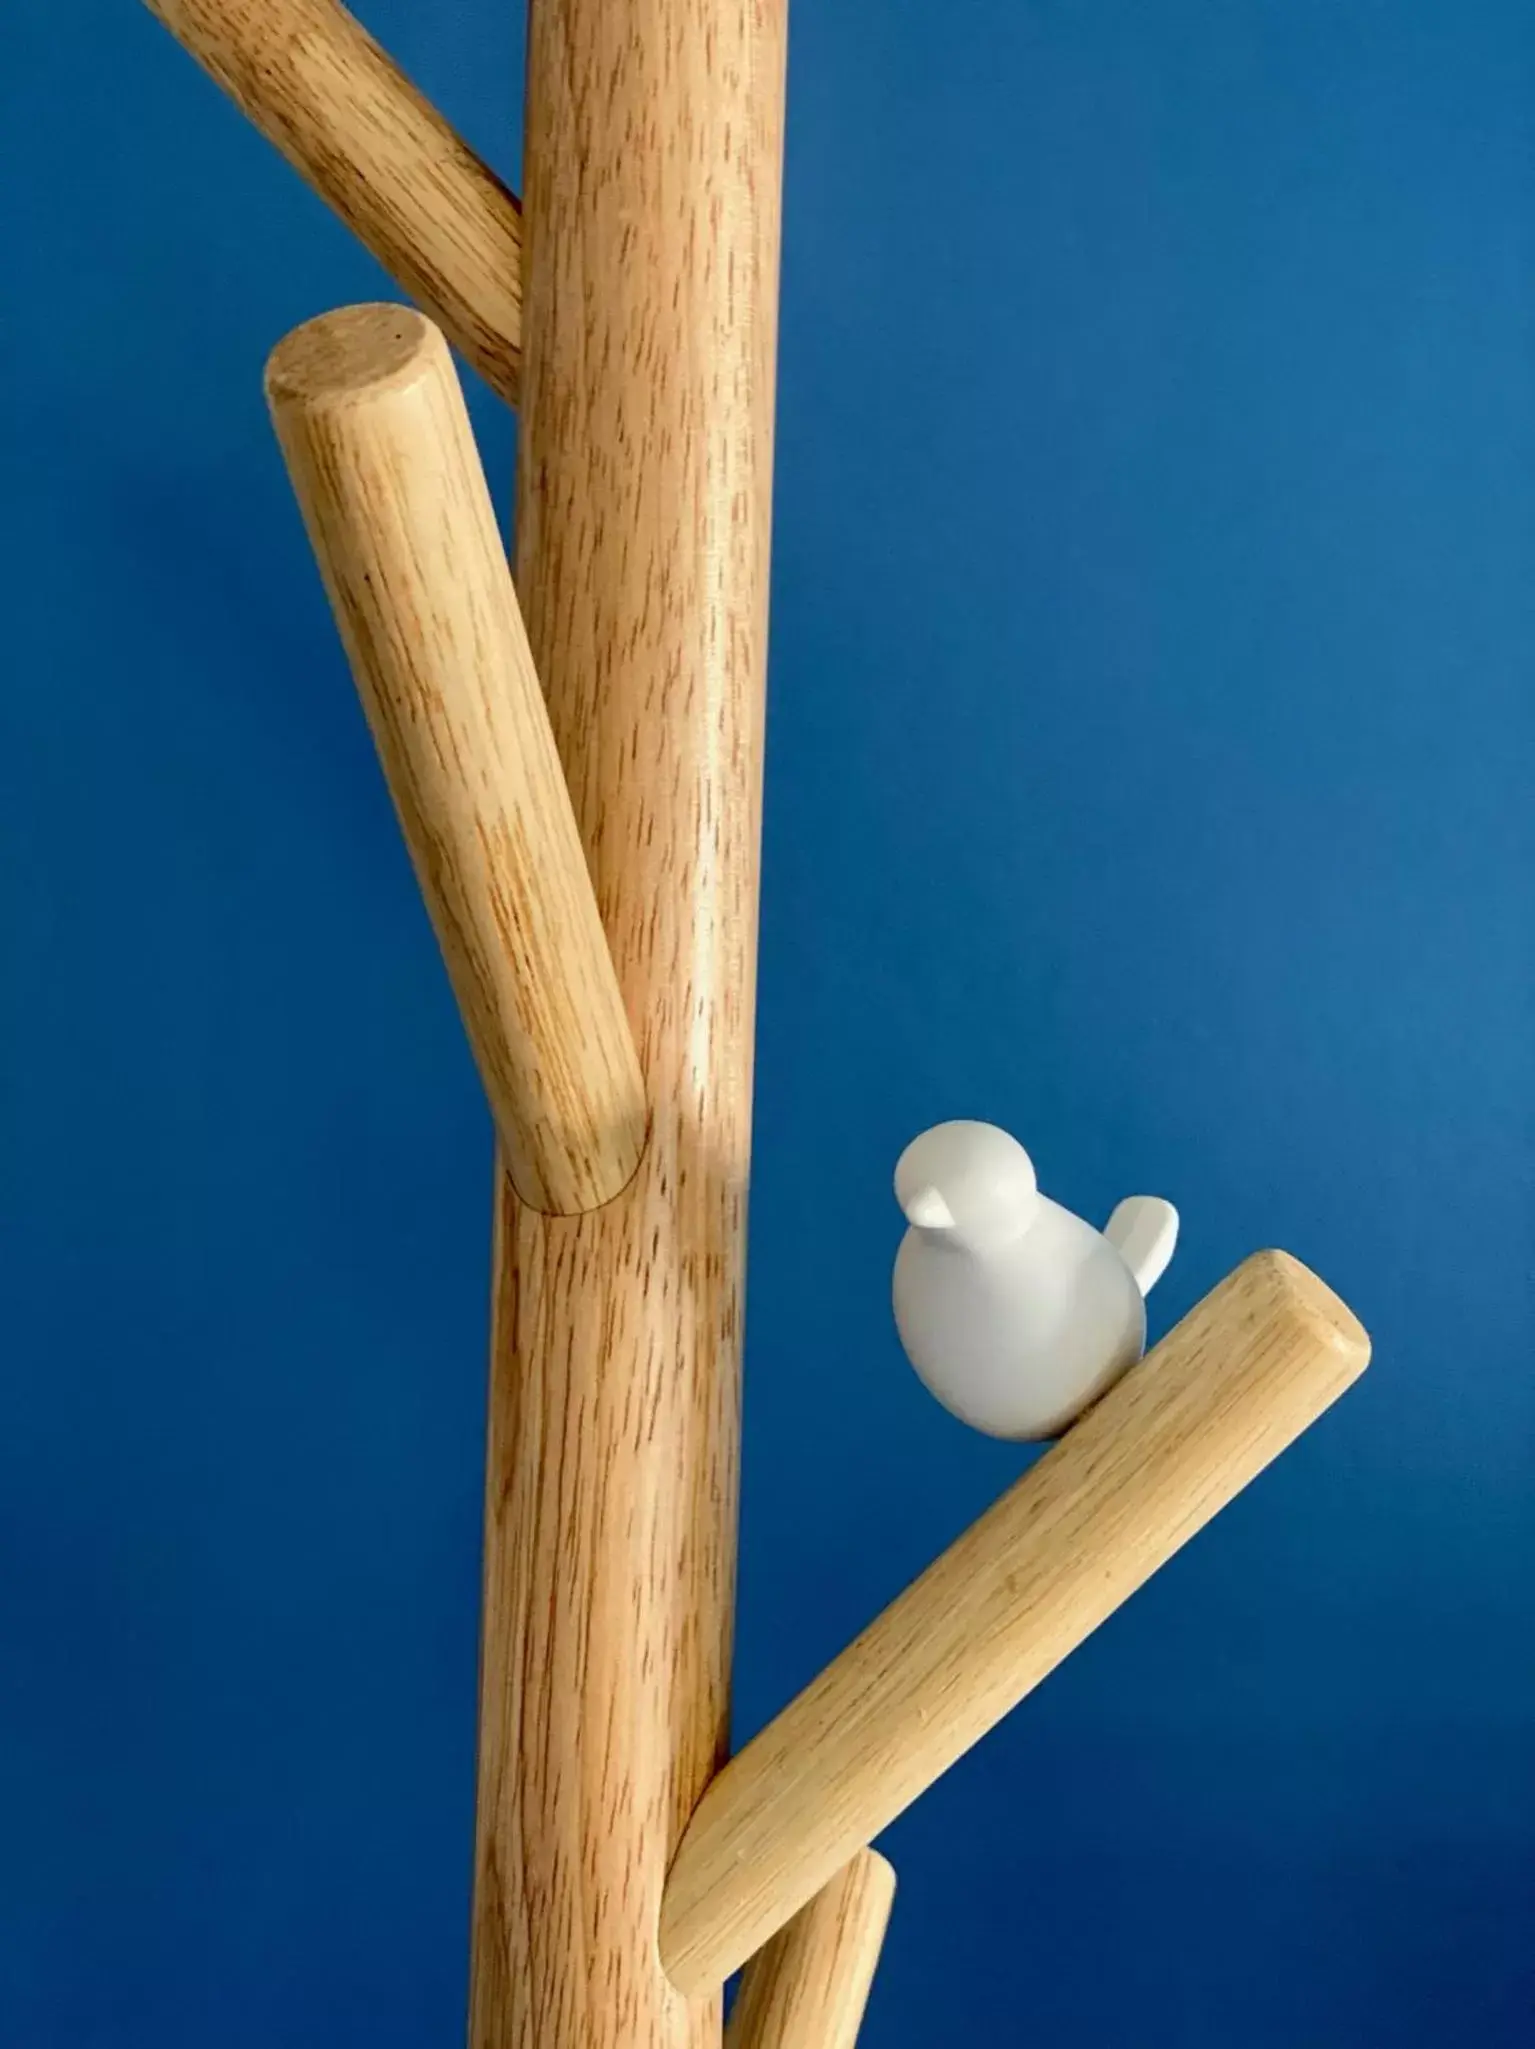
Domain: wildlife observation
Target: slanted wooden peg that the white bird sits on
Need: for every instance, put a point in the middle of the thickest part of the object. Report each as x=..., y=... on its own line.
x=1159, y=1456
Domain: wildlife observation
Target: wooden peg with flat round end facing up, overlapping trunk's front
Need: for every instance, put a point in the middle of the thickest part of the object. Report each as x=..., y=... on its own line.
x=378, y=444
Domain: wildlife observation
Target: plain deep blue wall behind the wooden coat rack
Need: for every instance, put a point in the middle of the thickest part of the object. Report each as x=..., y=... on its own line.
x=1151, y=771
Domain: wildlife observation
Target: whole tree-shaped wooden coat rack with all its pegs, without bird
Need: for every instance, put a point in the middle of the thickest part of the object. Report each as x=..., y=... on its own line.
x=579, y=782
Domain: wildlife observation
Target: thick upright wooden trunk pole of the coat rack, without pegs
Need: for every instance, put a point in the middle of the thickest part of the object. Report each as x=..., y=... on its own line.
x=642, y=562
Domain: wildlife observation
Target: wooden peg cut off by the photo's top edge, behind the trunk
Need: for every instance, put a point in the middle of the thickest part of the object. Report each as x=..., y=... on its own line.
x=345, y=116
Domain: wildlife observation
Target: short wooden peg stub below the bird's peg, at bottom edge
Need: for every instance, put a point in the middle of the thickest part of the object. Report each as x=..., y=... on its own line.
x=811, y=1984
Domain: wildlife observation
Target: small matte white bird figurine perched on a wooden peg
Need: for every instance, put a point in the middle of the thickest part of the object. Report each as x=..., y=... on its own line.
x=1015, y=1312
